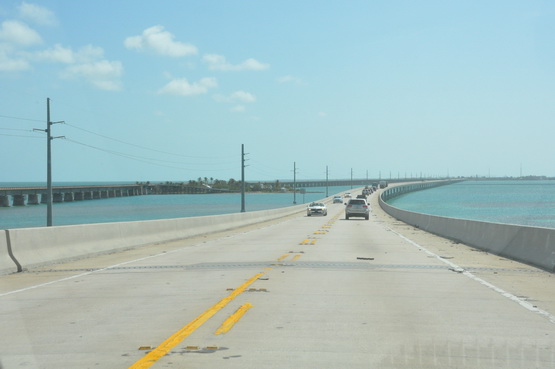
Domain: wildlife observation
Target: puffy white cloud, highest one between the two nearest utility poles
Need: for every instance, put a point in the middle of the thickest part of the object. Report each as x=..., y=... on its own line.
x=161, y=42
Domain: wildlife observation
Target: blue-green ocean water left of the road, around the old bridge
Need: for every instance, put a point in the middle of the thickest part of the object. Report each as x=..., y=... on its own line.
x=121, y=209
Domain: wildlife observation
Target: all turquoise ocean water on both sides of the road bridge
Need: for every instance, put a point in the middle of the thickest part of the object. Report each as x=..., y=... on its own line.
x=515, y=202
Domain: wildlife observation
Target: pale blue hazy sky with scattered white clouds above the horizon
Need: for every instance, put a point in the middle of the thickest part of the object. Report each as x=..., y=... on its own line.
x=169, y=90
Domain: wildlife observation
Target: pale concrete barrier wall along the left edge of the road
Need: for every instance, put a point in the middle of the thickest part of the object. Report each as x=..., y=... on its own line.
x=34, y=247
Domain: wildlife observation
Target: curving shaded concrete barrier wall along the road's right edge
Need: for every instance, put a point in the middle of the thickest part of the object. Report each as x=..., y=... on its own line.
x=530, y=245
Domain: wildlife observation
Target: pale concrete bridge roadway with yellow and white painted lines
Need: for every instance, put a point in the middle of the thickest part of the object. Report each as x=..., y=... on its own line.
x=301, y=292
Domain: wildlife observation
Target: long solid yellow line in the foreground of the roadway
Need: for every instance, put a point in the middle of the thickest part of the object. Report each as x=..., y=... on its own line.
x=149, y=359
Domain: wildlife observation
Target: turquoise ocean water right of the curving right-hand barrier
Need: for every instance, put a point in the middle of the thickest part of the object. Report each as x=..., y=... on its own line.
x=522, y=202
